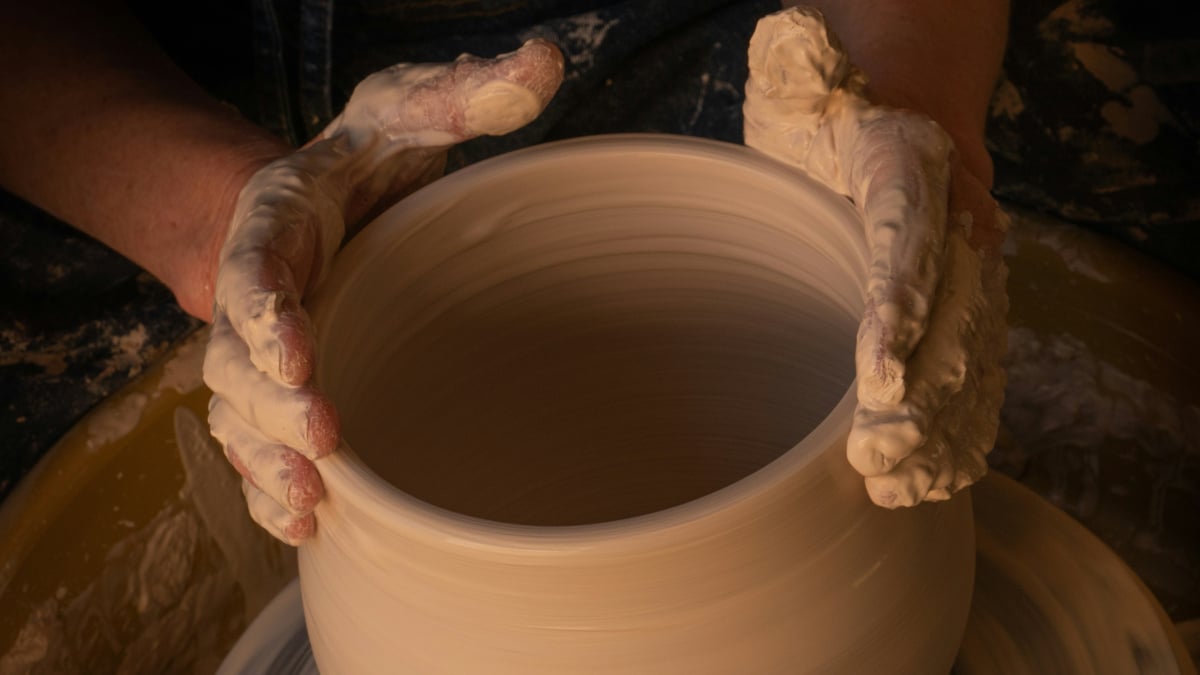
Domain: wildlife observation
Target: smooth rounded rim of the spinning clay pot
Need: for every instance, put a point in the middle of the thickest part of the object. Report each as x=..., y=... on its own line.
x=364, y=492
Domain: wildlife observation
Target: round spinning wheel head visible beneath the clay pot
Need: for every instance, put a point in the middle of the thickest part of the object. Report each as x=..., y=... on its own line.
x=1049, y=598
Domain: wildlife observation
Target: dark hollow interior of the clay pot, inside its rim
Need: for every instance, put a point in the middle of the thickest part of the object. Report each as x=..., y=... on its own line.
x=571, y=361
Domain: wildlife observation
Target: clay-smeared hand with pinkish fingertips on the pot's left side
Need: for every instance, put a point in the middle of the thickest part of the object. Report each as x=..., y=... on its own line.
x=291, y=219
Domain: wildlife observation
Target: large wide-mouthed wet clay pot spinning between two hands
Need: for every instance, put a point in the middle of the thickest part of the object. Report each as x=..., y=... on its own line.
x=598, y=396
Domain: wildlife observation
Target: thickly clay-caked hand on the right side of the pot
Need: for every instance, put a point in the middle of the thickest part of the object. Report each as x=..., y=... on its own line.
x=933, y=332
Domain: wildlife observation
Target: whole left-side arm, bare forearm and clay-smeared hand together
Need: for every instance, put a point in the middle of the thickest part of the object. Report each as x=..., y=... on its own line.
x=104, y=132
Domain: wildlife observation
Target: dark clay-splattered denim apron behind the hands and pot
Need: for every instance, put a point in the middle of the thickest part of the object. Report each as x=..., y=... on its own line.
x=632, y=65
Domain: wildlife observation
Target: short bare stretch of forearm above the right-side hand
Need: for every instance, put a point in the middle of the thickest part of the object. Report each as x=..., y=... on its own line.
x=938, y=57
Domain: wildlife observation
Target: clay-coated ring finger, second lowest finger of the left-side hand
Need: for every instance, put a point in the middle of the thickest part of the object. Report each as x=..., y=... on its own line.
x=283, y=474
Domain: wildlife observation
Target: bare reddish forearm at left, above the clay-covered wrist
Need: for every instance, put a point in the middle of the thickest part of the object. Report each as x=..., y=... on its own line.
x=100, y=129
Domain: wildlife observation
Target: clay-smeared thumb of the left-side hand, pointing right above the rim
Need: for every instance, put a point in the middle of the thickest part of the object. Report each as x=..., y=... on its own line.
x=440, y=105
